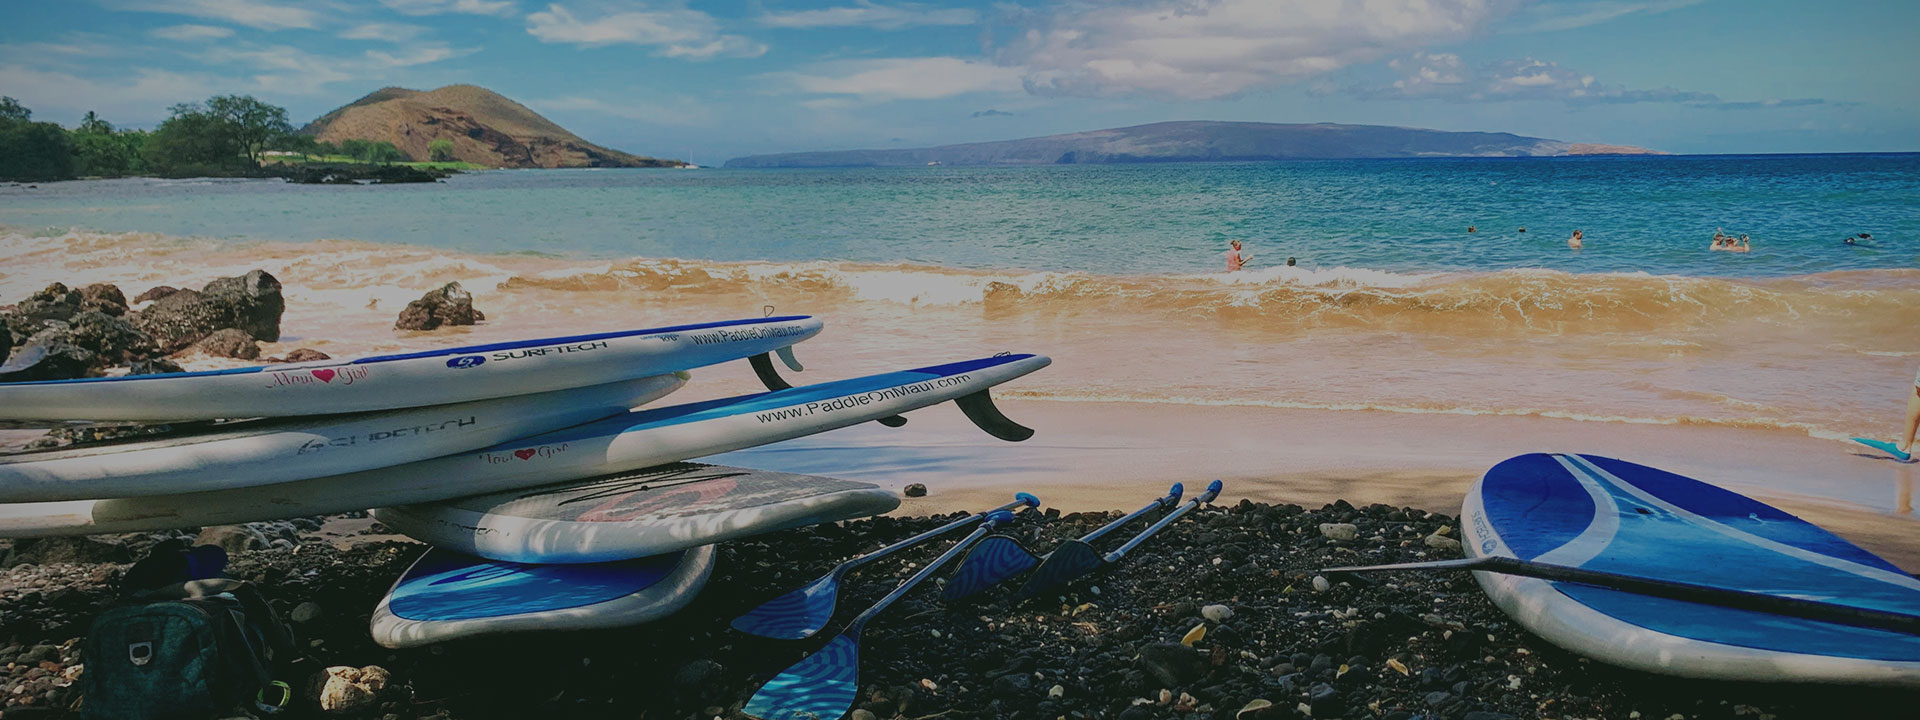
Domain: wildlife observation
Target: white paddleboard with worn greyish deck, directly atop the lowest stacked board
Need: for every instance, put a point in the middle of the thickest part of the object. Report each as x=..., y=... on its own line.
x=636, y=514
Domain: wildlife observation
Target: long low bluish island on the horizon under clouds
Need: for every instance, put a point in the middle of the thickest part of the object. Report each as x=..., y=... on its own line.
x=1205, y=141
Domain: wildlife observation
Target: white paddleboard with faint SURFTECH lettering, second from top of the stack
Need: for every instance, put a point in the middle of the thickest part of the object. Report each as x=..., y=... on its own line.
x=285, y=450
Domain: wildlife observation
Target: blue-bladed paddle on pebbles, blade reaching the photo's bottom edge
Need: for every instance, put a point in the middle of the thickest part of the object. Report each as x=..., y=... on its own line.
x=827, y=683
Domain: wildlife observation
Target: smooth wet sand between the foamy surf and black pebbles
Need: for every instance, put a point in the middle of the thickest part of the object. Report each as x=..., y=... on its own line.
x=1120, y=456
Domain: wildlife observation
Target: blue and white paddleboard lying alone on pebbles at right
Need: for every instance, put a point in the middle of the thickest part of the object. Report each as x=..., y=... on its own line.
x=1620, y=517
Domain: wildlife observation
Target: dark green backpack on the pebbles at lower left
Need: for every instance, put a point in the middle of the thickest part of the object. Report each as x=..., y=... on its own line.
x=193, y=650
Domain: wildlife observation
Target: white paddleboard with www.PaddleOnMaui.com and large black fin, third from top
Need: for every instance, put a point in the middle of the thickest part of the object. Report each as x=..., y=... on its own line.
x=625, y=443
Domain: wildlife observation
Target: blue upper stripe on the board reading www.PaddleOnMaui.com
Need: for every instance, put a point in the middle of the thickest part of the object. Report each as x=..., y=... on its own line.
x=757, y=402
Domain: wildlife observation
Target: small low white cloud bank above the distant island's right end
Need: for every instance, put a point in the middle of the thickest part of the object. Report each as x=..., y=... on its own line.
x=1445, y=76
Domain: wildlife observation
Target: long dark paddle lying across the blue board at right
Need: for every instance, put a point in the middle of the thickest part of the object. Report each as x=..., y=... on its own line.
x=1689, y=592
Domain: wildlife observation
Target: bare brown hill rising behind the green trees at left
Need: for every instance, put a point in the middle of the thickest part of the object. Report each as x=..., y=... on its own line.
x=483, y=126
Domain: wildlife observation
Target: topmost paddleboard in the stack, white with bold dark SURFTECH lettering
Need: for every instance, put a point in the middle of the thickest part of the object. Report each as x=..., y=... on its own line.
x=435, y=377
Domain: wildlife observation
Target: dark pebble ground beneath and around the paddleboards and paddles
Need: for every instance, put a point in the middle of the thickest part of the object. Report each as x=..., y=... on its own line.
x=1222, y=617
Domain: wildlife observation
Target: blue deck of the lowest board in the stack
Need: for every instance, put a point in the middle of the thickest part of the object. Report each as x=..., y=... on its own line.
x=454, y=587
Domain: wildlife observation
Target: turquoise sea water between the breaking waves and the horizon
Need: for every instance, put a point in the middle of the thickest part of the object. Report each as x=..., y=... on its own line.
x=1639, y=214
